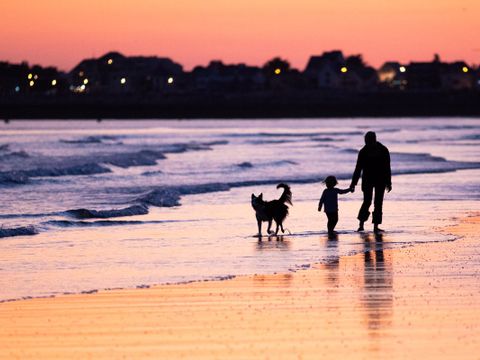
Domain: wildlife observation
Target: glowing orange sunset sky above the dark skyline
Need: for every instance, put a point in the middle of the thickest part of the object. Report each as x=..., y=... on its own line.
x=62, y=32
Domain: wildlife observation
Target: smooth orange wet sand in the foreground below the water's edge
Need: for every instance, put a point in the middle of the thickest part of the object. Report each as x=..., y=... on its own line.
x=417, y=302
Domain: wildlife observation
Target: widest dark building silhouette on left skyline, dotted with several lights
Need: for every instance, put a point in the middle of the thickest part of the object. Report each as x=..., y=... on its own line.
x=115, y=73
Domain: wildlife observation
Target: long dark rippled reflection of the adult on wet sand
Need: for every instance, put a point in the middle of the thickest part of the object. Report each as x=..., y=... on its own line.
x=377, y=294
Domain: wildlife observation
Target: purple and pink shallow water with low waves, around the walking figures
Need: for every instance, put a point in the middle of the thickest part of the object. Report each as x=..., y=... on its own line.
x=48, y=169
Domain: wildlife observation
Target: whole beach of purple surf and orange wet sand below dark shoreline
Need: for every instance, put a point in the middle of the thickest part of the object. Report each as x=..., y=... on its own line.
x=137, y=240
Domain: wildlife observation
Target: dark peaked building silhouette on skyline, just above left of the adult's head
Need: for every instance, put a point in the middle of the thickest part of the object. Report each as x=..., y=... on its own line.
x=332, y=70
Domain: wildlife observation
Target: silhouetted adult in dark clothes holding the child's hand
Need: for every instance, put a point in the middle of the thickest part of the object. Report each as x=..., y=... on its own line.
x=373, y=163
